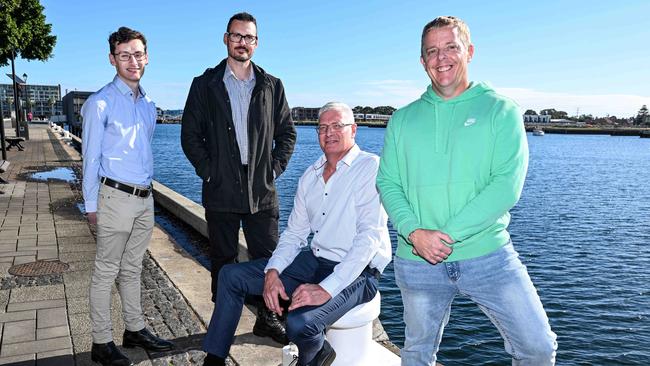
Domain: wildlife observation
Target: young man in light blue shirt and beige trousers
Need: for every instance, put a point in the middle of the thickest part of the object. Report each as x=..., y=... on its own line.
x=118, y=125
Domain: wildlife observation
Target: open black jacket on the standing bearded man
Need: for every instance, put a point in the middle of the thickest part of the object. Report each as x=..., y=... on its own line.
x=209, y=142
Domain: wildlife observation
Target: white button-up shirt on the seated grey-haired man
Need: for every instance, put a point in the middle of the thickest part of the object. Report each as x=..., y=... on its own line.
x=346, y=217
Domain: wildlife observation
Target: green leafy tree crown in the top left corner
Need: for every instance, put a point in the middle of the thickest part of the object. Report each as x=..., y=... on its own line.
x=23, y=30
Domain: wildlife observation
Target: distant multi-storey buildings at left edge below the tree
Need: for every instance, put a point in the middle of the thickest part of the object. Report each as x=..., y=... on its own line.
x=41, y=97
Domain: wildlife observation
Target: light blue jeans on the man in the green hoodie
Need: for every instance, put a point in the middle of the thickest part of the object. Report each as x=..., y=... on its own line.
x=498, y=283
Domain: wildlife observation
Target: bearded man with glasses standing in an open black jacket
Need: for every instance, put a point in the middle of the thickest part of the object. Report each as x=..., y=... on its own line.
x=238, y=134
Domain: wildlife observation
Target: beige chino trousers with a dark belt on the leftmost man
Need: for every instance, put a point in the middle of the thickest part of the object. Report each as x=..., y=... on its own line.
x=124, y=227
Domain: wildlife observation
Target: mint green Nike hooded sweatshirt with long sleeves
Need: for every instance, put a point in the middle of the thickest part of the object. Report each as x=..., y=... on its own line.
x=457, y=166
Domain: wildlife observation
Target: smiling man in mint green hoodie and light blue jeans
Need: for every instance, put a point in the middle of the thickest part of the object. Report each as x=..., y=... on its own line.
x=453, y=165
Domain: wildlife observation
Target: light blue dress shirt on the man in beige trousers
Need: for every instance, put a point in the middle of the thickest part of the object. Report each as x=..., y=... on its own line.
x=116, y=139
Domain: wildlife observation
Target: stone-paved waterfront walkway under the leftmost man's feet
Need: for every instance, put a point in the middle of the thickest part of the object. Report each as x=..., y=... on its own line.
x=44, y=319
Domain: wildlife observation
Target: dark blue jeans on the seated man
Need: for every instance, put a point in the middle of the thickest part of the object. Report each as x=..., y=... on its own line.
x=306, y=325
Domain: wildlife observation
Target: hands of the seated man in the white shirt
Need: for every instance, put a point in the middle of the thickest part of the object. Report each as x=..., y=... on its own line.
x=306, y=294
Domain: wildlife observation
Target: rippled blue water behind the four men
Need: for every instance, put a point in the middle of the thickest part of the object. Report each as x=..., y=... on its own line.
x=581, y=228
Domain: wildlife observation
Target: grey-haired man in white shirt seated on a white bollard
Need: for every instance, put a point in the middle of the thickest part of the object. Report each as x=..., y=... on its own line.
x=338, y=203
